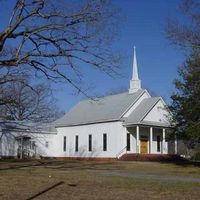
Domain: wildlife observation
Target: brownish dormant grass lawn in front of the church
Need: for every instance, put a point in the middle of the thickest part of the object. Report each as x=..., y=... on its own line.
x=98, y=180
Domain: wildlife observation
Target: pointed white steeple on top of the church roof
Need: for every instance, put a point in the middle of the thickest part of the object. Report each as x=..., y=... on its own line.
x=135, y=83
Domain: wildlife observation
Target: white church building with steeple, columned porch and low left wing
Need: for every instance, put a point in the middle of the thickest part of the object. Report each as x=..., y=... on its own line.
x=109, y=127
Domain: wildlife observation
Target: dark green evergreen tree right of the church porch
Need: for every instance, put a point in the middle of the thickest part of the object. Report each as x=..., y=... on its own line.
x=186, y=101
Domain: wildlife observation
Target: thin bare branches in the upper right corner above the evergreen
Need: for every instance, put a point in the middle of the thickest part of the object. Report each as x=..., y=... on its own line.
x=185, y=30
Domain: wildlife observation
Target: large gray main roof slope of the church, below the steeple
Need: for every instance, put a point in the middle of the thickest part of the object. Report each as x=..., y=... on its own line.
x=108, y=108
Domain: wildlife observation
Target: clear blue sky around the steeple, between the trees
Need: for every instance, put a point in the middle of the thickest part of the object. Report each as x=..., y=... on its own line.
x=158, y=60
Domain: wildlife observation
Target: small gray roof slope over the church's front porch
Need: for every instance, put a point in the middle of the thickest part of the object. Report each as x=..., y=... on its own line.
x=140, y=112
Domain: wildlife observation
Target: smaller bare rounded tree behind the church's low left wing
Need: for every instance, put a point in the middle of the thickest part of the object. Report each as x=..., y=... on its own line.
x=24, y=103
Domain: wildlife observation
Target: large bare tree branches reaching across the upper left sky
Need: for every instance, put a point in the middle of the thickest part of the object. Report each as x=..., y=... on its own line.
x=56, y=40
